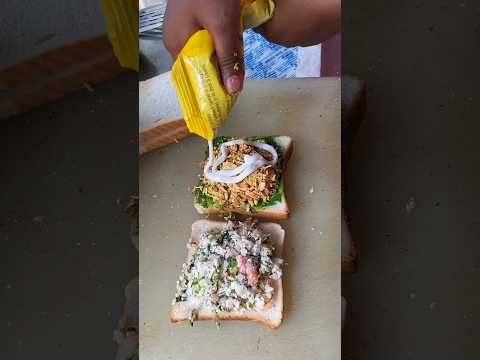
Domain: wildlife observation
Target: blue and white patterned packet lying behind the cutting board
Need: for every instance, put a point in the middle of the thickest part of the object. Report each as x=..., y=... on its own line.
x=264, y=59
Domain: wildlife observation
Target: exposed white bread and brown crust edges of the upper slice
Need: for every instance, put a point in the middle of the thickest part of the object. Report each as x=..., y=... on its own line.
x=277, y=211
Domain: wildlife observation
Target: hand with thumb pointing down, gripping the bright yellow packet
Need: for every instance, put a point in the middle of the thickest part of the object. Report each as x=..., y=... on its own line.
x=222, y=19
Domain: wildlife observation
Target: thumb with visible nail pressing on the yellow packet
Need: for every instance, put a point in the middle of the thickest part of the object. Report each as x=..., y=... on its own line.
x=230, y=60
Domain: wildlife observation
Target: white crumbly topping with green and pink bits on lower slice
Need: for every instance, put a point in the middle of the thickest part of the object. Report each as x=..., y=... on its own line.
x=231, y=269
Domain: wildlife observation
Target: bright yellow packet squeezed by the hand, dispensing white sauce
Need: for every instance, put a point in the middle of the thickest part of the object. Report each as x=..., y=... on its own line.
x=204, y=101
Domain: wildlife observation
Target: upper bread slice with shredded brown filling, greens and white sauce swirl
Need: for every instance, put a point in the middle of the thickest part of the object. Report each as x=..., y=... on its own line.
x=245, y=176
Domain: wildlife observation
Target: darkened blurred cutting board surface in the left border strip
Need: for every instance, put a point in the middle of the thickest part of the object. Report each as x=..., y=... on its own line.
x=64, y=237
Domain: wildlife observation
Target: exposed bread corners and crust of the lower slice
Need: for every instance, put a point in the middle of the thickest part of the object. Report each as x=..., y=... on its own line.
x=271, y=315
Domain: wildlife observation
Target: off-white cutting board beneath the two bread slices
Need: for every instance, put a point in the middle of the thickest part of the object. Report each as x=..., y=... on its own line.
x=309, y=111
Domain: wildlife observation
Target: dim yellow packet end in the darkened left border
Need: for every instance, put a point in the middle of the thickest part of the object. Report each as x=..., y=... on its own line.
x=122, y=26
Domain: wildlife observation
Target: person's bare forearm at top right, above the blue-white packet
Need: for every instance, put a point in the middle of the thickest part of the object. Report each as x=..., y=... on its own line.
x=302, y=22
